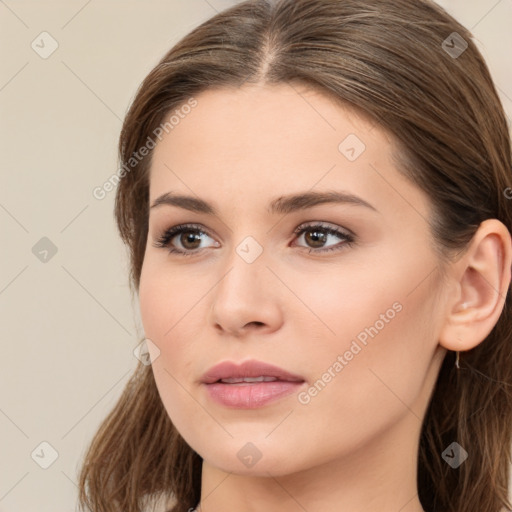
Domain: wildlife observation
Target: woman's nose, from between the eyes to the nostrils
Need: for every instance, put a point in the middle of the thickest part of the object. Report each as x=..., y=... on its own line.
x=246, y=299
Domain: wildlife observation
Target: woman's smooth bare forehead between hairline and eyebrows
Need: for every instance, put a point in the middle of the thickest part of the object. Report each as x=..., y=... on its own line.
x=256, y=142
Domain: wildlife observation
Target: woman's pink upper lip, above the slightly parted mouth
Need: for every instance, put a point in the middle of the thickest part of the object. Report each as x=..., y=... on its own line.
x=229, y=369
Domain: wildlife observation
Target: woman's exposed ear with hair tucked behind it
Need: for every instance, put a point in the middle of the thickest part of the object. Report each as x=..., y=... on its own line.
x=482, y=278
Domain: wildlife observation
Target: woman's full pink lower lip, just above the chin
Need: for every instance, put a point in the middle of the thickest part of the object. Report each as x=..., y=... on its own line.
x=251, y=395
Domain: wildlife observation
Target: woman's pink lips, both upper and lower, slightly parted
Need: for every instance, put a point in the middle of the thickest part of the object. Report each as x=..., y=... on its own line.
x=249, y=385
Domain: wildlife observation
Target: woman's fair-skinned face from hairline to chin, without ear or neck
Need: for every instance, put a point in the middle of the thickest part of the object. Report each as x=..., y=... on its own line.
x=342, y=293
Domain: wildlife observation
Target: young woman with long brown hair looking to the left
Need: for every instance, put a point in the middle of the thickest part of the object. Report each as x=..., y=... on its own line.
x=314, y=195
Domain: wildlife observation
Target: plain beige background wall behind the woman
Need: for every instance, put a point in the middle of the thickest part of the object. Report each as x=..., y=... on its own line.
x=68, y=325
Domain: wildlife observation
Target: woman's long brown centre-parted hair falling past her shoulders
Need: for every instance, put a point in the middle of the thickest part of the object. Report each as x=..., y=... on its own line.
x=399, y=63
